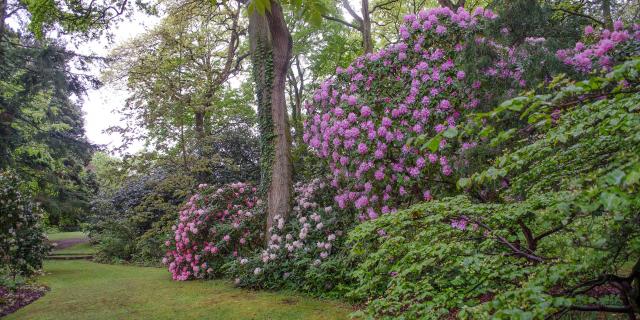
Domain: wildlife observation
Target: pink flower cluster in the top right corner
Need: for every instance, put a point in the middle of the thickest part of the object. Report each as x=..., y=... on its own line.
x=599, y=54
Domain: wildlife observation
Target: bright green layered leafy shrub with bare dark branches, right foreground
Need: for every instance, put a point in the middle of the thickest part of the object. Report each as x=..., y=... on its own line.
x=549, y=227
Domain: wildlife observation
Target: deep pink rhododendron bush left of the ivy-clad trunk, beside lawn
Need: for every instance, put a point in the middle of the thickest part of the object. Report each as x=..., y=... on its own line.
x=216, y=225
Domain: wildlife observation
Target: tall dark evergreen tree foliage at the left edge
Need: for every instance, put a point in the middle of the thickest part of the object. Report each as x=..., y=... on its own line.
x=41, y=126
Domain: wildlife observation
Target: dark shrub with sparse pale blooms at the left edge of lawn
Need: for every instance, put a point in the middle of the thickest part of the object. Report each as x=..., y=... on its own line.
x=22, y=239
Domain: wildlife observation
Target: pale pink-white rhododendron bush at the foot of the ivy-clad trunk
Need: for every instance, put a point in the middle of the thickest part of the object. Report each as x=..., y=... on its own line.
x=305, y=251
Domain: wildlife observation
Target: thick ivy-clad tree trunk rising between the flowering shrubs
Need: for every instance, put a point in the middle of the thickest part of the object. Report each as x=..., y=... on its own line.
x=270, y=42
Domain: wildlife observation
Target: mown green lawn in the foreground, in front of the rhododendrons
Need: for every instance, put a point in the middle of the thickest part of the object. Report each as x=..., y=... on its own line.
x=86, y=290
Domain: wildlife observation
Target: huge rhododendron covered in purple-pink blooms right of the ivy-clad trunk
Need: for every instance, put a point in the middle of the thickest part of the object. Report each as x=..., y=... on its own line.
x=385, y=123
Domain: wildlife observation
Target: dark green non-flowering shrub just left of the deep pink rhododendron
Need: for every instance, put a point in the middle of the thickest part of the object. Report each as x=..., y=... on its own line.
x=130, y=223
